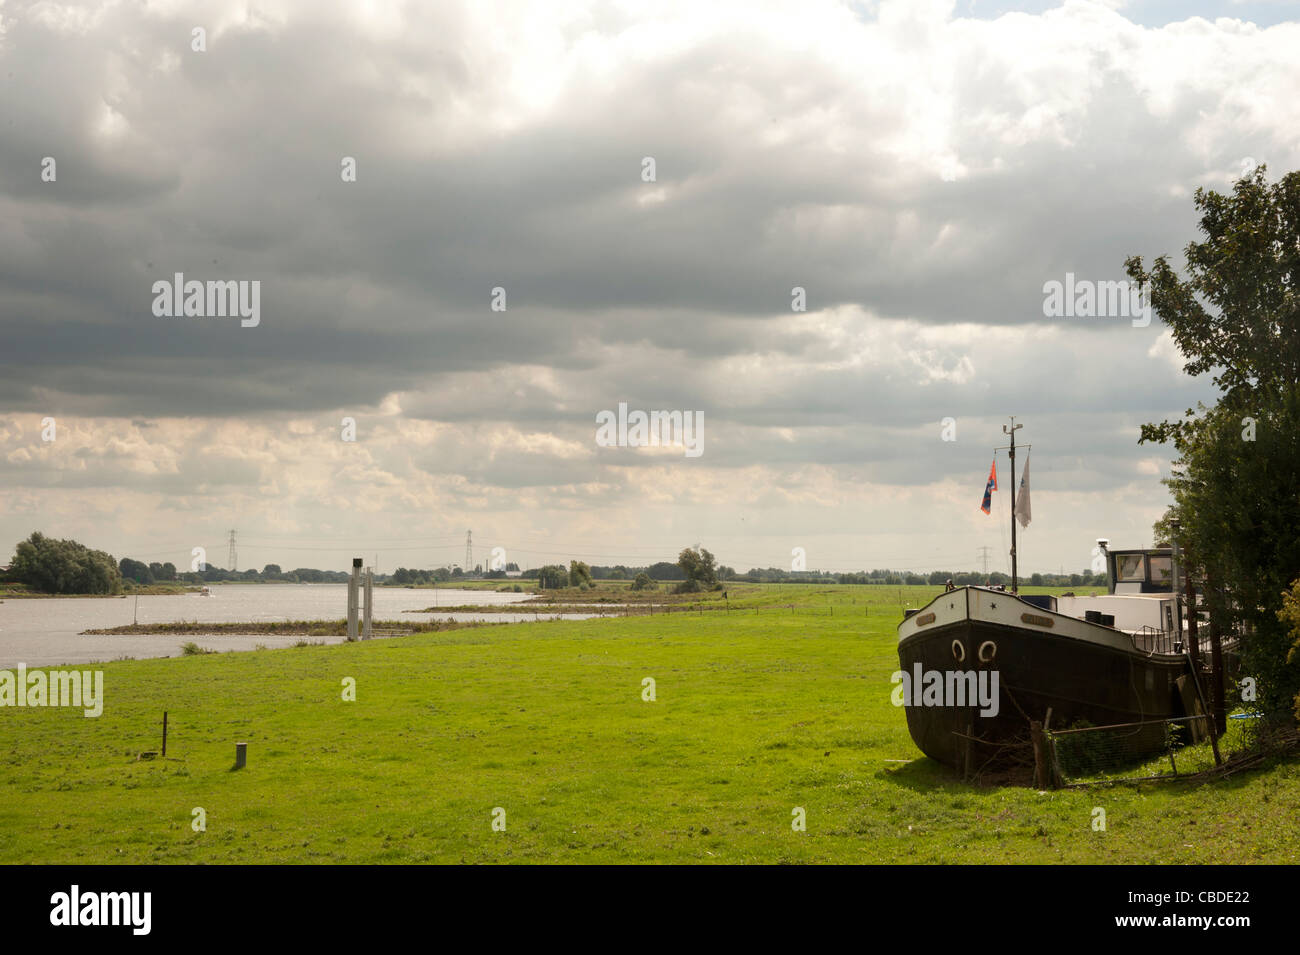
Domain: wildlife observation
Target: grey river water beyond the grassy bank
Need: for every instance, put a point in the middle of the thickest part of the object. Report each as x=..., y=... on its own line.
x=49, y=631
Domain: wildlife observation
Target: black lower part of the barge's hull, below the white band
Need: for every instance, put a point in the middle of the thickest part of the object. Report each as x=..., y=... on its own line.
x=1076, y=679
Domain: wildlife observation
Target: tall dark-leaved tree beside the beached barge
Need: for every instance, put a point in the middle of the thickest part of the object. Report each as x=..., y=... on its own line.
x=1237, y=479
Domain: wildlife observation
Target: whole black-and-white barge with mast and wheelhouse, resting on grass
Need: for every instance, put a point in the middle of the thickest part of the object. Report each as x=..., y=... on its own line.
x=982, y=663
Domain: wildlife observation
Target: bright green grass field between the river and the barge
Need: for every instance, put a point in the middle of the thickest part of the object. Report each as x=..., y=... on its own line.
x=757, y=713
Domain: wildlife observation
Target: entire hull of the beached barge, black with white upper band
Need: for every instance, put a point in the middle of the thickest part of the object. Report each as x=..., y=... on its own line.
x=1081, y=672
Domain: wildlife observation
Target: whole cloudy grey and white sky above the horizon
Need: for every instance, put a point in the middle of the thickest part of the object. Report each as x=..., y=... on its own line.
x=506, y=264
